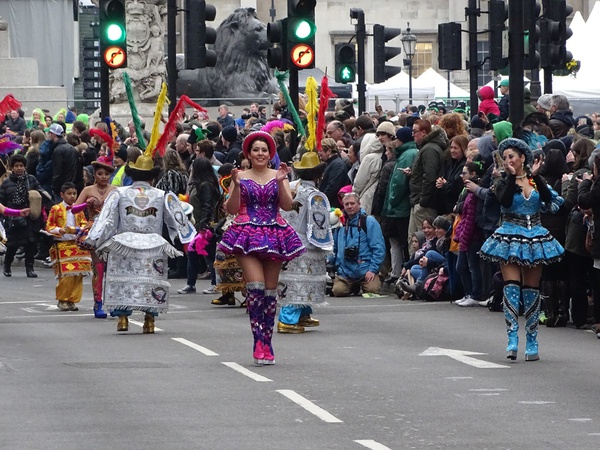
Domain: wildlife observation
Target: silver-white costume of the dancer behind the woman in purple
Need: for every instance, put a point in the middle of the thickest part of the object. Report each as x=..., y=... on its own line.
x=303, y=280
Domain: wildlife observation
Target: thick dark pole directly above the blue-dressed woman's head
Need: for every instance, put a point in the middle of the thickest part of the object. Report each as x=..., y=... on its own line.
x=516, y=36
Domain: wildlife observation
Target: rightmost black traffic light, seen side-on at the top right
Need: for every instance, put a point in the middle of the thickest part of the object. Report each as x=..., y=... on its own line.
x=554, y=34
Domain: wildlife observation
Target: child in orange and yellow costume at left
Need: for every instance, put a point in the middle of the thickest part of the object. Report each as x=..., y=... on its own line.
x=70, y=262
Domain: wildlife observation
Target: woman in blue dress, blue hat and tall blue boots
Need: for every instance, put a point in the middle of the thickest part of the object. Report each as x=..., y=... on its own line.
x=521, y=244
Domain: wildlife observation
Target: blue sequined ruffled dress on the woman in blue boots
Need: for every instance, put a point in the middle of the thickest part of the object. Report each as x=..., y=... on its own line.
x=521, y=238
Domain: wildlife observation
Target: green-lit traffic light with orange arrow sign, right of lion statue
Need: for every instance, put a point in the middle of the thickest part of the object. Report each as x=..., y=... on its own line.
x=301, y=31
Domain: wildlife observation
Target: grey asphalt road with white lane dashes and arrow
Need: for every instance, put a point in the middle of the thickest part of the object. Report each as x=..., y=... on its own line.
x=378, y=373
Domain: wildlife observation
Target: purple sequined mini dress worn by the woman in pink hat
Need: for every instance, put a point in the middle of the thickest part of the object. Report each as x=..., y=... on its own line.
x=259, y=229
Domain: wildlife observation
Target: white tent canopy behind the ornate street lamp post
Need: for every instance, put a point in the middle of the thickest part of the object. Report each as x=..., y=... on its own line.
x=393, y=93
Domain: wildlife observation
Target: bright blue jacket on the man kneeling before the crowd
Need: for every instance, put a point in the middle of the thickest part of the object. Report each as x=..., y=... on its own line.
x=371, y=248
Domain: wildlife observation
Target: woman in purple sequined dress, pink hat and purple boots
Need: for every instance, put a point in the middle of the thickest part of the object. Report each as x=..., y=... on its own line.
x=259, y=237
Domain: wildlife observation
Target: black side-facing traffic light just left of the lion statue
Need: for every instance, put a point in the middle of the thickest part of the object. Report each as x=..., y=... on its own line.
x=198, y=35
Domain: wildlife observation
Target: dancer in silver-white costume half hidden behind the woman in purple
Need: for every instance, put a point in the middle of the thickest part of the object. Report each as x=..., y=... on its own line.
x=303, y=280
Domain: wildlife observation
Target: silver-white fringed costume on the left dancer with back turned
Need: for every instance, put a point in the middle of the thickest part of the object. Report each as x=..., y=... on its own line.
x=128, y=233
